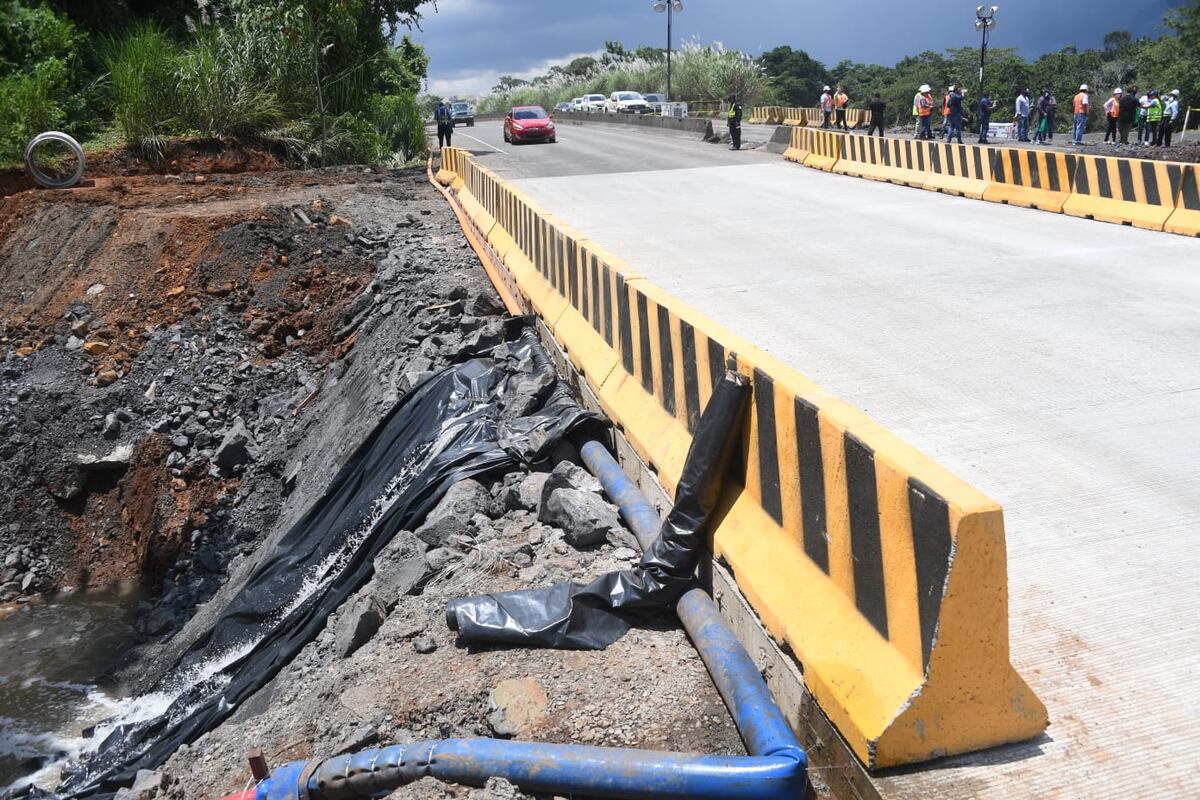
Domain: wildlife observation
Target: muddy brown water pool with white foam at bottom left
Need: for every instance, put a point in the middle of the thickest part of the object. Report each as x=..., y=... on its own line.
x=52, y=653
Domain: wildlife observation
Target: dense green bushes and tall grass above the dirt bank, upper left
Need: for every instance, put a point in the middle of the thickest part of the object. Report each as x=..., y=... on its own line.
x=322, y=80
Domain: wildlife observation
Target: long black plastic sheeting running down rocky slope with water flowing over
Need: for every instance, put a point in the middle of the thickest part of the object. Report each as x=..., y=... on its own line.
x=452, y=428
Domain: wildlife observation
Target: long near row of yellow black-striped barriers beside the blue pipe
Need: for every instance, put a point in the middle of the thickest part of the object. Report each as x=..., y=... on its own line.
x=884, y=574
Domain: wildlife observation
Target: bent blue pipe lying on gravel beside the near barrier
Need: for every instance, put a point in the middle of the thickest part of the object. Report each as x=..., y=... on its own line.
x=775, y=771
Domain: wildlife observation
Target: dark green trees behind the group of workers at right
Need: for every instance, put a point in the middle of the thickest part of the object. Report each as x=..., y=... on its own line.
x=1167, y=63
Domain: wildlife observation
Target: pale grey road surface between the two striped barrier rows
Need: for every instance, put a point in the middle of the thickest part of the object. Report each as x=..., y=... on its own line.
x=1052, y=362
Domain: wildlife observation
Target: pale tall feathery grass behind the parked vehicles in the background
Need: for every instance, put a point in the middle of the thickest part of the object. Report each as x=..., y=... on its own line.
x=698, y=74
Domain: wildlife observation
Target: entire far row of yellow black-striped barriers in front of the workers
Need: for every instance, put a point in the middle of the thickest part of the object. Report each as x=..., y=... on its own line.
x=1153, y=195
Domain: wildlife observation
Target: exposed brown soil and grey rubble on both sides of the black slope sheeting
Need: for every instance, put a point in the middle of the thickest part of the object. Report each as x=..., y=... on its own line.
x=185, y=363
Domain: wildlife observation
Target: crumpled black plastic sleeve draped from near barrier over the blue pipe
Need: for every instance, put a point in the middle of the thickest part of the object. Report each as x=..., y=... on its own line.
x=592, y=617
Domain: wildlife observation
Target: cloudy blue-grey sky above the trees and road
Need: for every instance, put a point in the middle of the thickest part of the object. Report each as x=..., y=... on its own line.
x=473, y=43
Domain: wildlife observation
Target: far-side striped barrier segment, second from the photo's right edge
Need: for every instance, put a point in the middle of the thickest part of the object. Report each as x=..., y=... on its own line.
x=1127, y=191
